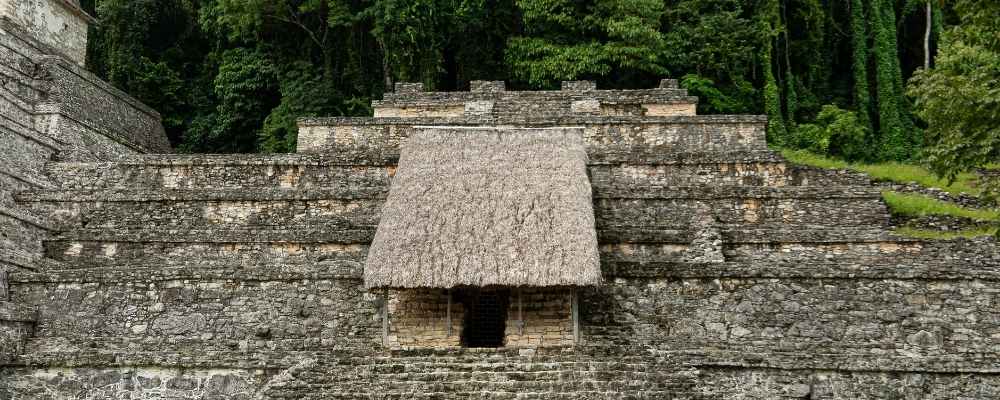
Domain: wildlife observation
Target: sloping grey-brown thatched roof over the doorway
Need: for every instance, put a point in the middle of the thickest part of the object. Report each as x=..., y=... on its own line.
x=484, y=207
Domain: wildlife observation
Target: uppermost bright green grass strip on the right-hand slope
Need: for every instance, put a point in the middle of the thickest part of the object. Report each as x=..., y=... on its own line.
x=890, y=171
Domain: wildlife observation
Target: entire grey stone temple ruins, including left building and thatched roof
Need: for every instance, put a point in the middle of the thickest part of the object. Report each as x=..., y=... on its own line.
x=492, y=244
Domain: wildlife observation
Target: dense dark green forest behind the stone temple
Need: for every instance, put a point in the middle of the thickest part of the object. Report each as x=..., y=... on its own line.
x=832, y=75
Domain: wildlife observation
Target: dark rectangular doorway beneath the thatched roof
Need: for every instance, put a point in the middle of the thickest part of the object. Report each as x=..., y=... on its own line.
x=485, y=317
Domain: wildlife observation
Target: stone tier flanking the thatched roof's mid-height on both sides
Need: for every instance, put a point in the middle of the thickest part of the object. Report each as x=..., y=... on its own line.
x=239, y=208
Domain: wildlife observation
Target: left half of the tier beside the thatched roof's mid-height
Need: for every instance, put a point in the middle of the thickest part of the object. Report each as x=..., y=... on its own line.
x=197, y=210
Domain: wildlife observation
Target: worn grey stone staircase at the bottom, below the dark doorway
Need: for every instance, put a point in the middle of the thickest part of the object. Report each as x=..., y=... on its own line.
x=553, y=373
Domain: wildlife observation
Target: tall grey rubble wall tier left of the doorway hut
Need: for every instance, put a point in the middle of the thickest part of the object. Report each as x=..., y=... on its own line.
x=190, y=316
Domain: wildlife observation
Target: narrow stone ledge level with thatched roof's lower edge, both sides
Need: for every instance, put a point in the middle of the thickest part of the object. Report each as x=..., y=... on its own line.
x=278, y=270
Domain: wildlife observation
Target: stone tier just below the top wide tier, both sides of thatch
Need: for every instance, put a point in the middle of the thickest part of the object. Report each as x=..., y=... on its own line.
x=756, y=168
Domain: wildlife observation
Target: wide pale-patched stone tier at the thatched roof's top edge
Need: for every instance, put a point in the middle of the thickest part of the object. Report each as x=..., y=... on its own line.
x=625, y=137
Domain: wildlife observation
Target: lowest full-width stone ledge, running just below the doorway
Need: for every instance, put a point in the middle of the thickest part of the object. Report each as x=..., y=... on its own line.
x=221, y=354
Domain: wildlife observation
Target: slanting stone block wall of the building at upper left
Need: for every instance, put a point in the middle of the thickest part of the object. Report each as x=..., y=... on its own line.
x=54, y=109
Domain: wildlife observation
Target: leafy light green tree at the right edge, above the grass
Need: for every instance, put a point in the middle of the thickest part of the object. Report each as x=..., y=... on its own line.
x=959, y=98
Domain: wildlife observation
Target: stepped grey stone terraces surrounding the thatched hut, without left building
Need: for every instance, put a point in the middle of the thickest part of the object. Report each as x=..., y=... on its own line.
x=239, y=276
